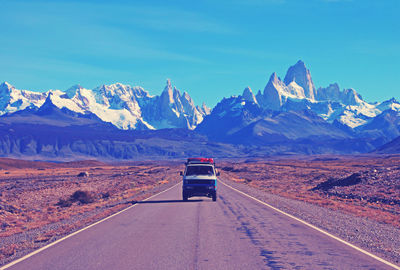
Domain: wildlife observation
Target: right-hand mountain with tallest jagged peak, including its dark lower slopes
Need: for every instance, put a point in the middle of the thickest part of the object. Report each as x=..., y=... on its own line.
x=293, y=110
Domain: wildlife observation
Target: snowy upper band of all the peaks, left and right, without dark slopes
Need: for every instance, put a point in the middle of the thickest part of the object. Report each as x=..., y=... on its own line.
x=134, y=108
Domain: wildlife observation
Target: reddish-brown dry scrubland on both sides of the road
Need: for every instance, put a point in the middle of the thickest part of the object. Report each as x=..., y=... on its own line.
x=41, y=202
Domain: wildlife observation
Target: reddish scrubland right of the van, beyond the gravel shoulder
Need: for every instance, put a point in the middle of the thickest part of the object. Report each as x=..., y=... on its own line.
x=364, y=186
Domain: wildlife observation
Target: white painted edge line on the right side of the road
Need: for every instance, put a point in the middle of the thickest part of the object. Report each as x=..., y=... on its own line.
x=316, y=228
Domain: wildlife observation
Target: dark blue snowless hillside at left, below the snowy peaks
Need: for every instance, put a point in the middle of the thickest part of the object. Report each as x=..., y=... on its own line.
x=50, y=133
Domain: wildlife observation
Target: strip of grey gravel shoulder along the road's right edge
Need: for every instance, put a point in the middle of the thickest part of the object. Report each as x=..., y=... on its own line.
x=380, y=239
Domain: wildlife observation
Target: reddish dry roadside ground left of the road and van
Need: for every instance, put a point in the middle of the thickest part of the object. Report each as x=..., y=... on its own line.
x=41, y=202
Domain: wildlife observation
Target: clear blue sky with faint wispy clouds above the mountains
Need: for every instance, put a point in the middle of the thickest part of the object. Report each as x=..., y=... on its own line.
x=212, y=49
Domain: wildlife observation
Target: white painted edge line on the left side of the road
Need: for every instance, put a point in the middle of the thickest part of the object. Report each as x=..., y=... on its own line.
x=81, y=230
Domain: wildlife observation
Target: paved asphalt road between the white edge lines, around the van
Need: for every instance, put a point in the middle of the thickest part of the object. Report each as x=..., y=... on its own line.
x=236, y=232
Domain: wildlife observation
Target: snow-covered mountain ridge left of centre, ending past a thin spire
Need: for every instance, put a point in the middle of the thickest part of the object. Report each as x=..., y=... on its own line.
x=124, y=106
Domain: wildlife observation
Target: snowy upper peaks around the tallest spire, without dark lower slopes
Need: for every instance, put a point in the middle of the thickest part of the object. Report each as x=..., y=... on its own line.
x=298, y=92
